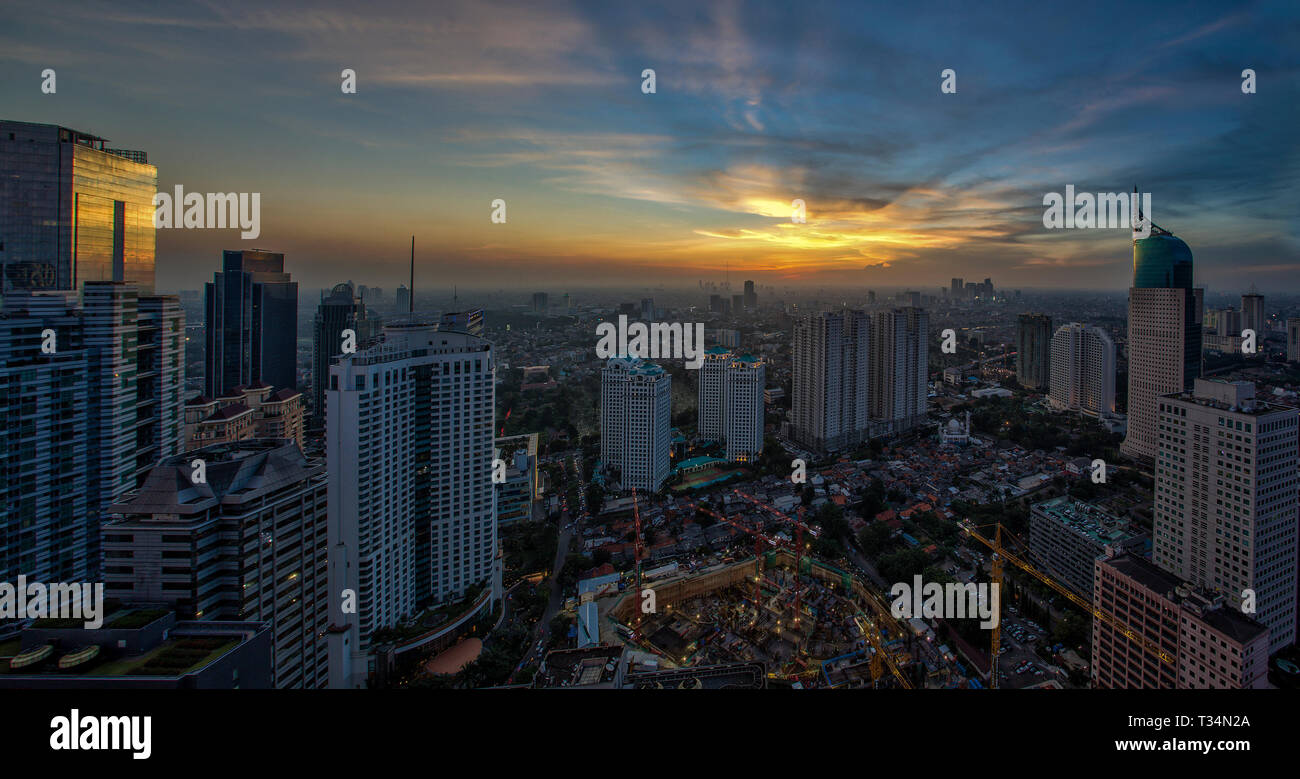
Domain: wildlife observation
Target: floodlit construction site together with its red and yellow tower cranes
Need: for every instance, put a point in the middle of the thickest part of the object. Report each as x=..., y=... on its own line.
x=805, y=621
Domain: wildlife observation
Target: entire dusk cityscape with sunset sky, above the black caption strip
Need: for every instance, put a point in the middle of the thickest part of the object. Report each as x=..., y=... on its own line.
x=757, y=386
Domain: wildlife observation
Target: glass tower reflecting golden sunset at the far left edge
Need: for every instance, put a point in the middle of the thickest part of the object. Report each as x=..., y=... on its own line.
x=73, y=211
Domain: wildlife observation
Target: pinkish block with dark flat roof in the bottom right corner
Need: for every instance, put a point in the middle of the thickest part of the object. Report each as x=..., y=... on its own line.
x=1208, y=646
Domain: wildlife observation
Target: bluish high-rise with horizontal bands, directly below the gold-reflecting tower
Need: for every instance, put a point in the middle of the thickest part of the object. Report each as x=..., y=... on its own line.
x=84, y=423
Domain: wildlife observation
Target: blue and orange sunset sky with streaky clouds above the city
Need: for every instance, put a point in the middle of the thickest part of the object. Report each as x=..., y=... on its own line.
x=540, y=105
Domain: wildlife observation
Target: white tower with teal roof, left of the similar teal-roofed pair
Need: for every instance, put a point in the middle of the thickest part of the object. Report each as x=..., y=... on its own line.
x=636, y=429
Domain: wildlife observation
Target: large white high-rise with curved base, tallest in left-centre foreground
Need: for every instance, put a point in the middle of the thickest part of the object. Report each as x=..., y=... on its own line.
x=411, y=503
